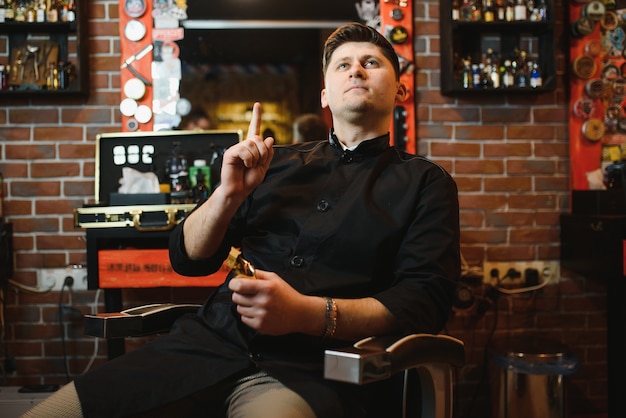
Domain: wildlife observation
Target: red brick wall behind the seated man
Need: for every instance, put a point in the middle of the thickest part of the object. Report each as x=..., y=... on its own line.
x=508, y=154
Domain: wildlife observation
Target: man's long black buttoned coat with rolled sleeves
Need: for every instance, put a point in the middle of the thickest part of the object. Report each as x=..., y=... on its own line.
x=348, y=224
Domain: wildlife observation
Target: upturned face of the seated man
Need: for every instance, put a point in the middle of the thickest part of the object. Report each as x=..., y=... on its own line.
x=359, y=79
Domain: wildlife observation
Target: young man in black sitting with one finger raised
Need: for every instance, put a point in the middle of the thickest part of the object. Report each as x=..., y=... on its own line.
x=349, y=238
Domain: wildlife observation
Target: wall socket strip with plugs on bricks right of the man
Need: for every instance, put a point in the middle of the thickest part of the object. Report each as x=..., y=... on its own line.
x=521, y=273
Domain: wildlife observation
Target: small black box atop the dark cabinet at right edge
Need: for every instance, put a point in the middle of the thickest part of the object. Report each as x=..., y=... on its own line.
x=599, y=202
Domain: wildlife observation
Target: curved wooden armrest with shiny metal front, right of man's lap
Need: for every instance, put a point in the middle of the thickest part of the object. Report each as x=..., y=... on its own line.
x=377, y=358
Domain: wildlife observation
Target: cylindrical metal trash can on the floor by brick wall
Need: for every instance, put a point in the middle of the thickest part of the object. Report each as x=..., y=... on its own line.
x=527, y=377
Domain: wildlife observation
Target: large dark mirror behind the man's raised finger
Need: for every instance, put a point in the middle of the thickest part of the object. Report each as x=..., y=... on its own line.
x=236, y=52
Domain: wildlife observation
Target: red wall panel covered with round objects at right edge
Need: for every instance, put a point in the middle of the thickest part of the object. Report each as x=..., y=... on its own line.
x=597, y=120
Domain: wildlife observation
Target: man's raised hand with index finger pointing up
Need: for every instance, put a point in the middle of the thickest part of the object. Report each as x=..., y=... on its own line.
x=245, y=164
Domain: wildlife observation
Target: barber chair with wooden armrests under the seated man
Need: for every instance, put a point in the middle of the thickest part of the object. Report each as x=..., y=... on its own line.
x=421, y=364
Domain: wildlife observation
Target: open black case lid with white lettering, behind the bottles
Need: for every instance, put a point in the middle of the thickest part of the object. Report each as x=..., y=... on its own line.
x=148, y=152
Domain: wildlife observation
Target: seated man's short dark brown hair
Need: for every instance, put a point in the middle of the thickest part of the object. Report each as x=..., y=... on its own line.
x=358, y=32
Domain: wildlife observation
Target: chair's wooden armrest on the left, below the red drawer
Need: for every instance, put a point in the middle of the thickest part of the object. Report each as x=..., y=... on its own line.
x=136, y=322
